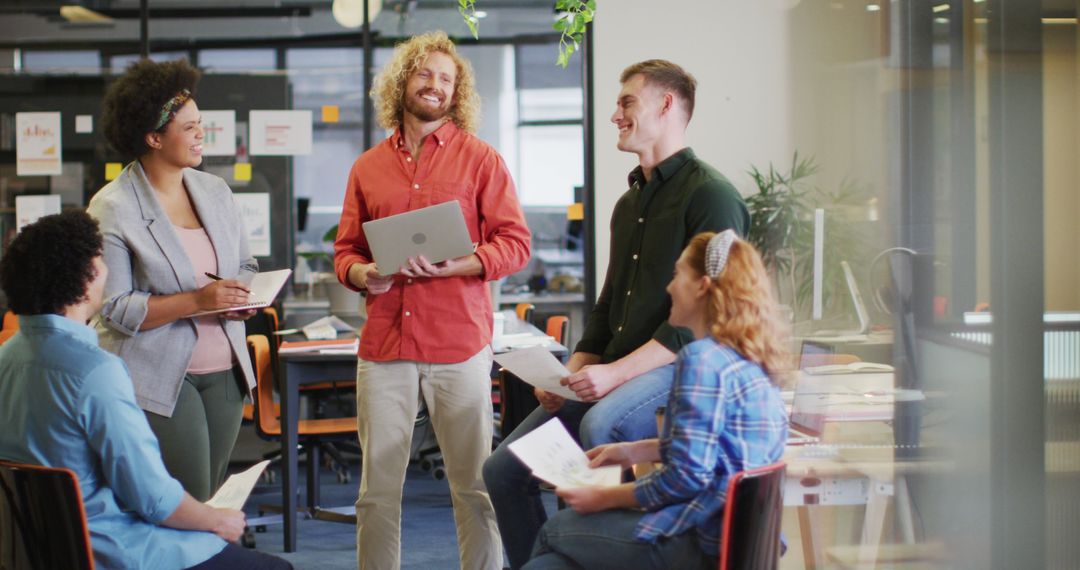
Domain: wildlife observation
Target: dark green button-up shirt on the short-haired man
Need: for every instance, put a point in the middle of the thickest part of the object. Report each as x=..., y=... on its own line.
x=651, y=227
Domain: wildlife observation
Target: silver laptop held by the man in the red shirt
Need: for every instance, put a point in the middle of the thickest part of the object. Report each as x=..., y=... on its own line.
x=437, y=233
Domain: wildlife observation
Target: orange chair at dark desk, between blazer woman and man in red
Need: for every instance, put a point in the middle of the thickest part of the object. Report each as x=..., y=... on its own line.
x=312, y=433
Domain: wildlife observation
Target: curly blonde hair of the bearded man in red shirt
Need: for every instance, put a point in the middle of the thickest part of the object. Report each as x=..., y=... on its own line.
x=389, y=86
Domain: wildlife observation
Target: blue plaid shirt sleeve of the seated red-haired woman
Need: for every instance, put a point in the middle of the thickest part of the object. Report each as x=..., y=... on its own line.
x=691, y=446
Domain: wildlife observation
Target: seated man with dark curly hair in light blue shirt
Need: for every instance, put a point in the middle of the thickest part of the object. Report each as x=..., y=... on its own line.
x=66, y=403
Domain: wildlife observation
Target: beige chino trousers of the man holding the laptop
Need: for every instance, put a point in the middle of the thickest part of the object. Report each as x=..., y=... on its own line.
x=460, y=402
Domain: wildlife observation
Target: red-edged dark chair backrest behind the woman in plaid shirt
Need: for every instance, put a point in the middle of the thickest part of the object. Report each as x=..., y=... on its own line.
x=752, y=515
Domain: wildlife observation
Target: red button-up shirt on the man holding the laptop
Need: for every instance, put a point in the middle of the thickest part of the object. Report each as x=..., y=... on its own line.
x=443, y=320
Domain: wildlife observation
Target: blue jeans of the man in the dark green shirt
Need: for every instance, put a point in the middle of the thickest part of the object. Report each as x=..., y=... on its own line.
x=627, y=414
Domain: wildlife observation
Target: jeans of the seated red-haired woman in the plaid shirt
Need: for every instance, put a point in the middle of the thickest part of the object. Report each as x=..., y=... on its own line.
x=606, y=540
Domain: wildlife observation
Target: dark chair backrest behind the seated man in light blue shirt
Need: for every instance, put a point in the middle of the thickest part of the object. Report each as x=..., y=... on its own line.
x=43, y=520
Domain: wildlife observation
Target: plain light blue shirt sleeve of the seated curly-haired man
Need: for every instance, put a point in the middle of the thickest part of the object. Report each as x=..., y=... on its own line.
x=120, y=436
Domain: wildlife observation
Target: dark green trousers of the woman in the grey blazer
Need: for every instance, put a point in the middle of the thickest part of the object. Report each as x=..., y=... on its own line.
x=197, y=442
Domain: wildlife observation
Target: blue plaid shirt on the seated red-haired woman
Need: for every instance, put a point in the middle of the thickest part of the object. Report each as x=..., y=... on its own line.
x=724, y=416
